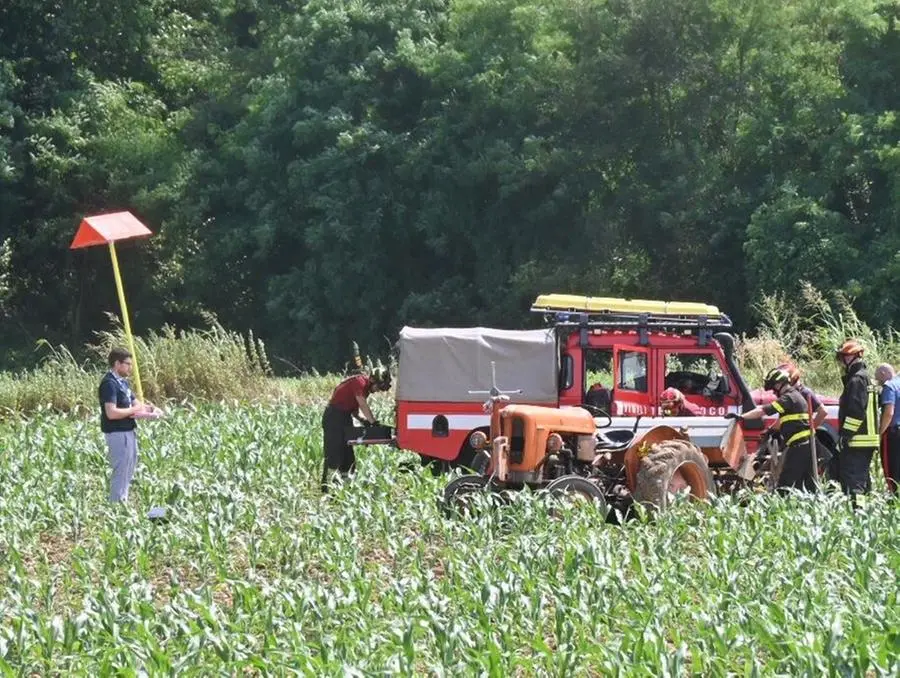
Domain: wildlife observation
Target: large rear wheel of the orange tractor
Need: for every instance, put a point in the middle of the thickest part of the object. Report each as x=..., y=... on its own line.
x=672, y=465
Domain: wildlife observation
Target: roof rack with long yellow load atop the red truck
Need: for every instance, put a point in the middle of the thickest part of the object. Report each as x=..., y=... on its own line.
x=569, y=310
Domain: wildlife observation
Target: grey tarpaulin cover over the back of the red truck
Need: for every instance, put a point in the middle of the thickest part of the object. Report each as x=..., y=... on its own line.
x=444, y=364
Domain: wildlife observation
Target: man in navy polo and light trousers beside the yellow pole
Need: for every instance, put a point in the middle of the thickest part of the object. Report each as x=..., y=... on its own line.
x=117, y=409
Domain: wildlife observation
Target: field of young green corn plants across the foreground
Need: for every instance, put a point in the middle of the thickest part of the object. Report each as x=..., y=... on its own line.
x=258, y=573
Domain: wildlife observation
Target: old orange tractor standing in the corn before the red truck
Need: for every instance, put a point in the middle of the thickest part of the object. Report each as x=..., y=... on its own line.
x=562, y=451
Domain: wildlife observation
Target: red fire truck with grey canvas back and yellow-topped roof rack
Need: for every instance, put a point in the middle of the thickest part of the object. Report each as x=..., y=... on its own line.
x=608, y=355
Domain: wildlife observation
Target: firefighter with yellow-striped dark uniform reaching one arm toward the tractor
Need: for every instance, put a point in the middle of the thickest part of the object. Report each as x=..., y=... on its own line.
x=791, y=407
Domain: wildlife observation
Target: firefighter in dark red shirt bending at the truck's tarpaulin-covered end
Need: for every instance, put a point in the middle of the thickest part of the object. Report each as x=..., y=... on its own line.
x=347, y=400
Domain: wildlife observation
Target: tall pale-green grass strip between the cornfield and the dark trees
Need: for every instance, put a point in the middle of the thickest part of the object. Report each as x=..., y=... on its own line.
x=218, y=364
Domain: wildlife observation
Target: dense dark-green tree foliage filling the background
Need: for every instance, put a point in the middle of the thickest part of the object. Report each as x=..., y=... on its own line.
x=329, y=170
